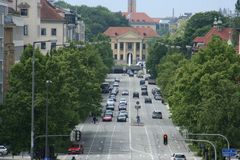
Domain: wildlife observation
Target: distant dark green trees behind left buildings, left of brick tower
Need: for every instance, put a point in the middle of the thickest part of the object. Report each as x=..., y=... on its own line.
x=97, y=19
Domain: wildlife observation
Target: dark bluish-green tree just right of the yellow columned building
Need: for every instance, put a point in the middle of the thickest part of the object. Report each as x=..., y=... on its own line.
x=155, y=53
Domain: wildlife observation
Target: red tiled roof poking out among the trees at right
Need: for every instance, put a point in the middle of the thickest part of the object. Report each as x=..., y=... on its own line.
x=224, y=33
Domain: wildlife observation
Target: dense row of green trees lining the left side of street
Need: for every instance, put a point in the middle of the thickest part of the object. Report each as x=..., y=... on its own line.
x=76, y=75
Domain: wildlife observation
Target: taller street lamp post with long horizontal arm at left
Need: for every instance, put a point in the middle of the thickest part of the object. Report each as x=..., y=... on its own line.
x=33, y=96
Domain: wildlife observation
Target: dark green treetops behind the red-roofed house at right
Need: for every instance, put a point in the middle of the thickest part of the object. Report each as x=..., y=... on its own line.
x=200, y=23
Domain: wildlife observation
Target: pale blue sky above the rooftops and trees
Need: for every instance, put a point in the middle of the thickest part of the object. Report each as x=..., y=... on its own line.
x=161, y=8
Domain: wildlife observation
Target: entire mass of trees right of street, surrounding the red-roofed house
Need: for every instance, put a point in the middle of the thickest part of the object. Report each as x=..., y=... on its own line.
x=202, y=89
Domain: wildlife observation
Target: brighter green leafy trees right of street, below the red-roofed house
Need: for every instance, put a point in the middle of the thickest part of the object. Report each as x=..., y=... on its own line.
x=204, y=92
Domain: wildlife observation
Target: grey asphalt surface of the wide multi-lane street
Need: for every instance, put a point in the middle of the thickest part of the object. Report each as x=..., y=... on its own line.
x=127, y=141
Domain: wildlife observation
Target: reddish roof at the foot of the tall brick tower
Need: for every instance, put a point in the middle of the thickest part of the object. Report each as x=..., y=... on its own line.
x=138, y=17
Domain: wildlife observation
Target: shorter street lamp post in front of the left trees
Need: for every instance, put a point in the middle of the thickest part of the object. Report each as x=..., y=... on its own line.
x=46, y=131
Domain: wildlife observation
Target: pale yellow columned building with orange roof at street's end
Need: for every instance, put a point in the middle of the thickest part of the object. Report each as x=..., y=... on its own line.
x=129, y=44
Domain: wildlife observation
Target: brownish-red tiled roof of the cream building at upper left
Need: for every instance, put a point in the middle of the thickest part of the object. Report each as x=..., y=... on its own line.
x=49, y=13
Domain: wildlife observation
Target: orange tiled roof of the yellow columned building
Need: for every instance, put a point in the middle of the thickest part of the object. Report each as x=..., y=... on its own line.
x=143, y=32
